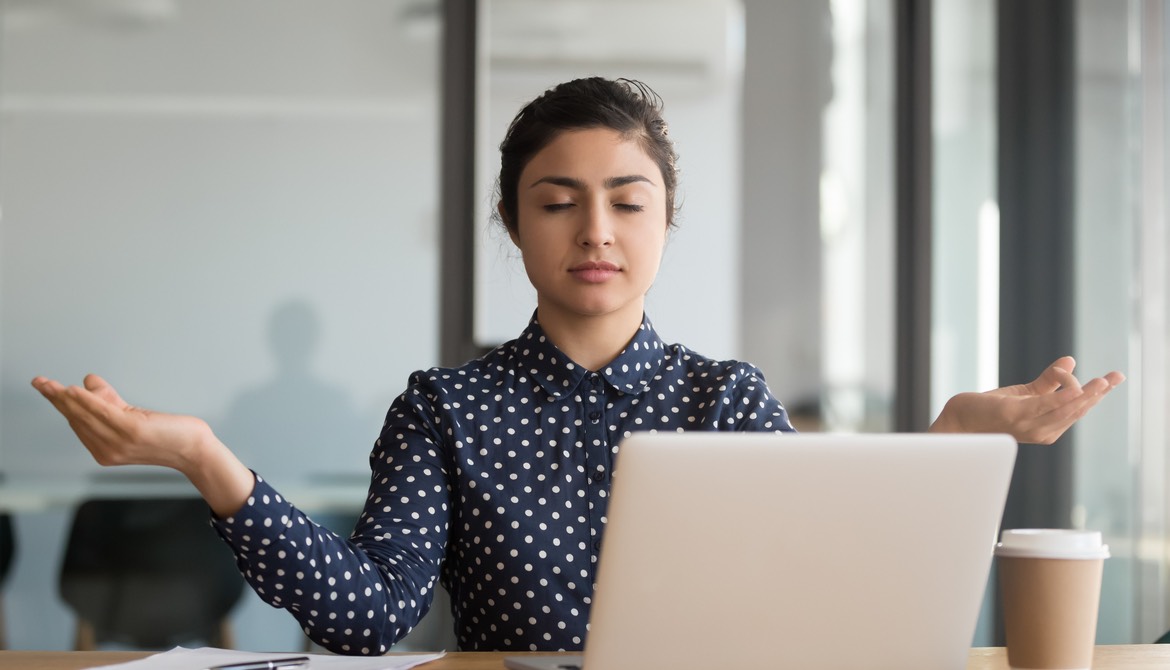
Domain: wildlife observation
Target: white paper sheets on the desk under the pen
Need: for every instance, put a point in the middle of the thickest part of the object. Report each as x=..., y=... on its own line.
x=182, y=659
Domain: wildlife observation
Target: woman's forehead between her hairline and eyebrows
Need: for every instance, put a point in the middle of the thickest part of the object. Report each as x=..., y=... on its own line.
x=591, y=154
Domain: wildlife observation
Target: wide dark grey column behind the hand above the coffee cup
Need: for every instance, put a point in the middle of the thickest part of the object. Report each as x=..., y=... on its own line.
x=1036, y=168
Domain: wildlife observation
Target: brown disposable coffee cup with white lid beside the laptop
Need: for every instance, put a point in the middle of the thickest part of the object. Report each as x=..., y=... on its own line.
x=1050, y=586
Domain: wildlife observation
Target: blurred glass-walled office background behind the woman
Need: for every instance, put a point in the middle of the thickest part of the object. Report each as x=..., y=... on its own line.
x=244, y=211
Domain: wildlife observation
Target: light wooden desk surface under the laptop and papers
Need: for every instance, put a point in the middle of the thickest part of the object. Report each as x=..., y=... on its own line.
x=1120, y=658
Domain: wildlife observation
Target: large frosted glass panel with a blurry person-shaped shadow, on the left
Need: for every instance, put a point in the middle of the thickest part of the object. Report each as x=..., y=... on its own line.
x=228, y=210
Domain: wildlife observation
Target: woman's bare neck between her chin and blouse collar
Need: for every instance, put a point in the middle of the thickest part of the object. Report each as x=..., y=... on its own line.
x=590, y=342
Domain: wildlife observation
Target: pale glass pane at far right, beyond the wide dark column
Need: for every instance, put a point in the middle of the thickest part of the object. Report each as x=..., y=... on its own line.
x=1121, y=291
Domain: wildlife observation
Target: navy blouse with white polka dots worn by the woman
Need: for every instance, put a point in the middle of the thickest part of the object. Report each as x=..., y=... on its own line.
x=491, y=480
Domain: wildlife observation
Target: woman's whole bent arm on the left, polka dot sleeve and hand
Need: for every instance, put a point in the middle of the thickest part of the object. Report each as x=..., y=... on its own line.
x=380, y=584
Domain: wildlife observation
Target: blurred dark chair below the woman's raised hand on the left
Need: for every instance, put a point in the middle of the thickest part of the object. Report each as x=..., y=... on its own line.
x=149, y=575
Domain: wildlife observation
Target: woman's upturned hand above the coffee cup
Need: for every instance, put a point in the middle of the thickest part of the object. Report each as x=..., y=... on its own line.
x=1037, y=413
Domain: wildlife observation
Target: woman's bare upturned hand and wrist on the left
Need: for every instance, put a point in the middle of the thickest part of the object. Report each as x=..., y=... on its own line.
x=120, y=434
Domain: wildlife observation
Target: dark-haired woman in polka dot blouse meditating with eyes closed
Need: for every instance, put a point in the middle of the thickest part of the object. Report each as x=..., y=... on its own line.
x=493, y=479
